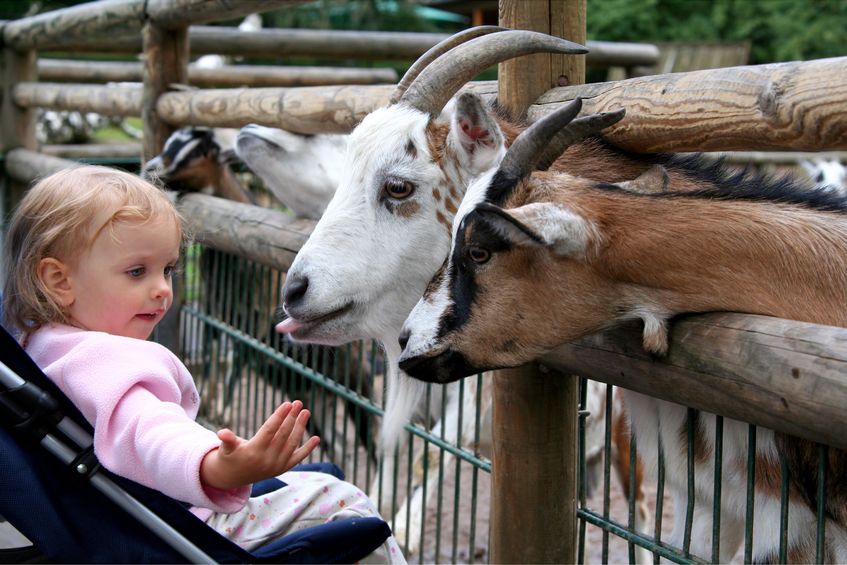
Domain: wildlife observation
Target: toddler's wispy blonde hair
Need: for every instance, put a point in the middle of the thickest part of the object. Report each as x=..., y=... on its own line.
x=60, y=217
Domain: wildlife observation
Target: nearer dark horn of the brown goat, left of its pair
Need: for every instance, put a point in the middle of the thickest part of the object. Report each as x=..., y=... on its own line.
x=531, y=144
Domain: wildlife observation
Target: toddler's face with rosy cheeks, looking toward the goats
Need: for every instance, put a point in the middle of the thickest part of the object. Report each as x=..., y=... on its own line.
x=122, y=284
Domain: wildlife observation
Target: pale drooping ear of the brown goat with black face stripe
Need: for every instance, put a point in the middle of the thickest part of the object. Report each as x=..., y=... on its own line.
x=541, y=224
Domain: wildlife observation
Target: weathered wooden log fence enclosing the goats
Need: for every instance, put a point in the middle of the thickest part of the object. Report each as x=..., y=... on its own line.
x=797, y=106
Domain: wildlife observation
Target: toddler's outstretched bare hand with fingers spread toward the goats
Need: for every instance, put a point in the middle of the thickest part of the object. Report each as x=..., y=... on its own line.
x=272, y=451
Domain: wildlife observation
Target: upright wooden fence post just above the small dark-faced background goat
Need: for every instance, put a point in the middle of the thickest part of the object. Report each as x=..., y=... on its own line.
x=165, y=63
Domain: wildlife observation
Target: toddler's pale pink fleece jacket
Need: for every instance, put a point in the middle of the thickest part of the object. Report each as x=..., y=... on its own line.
x=142, y=403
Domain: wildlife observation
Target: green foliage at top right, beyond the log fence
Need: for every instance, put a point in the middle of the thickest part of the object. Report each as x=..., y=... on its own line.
x=779, y=30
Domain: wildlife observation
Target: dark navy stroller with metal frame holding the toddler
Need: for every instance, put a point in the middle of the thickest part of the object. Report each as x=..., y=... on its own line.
x=73, y=511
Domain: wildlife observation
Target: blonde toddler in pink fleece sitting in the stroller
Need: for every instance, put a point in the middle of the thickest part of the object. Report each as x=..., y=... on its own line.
x=90, y=257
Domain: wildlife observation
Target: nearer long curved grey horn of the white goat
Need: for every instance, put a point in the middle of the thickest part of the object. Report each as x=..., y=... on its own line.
x=443, y=78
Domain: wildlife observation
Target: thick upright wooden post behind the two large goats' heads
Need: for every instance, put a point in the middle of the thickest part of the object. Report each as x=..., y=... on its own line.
x=533, y=514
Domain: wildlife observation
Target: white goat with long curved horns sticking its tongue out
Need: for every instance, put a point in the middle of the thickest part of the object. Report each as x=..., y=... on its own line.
x=387, y=229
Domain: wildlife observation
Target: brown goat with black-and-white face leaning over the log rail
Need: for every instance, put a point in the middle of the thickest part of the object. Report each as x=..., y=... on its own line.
x=573, y=256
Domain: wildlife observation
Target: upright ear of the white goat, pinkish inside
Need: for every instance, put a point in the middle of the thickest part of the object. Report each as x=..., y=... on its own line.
x=475, y=134
